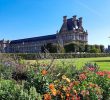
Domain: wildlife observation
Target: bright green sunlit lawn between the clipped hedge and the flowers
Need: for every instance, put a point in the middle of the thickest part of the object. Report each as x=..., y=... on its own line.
x=103, y=62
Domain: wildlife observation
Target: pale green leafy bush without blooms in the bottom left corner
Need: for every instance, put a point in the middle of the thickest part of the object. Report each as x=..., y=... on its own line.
x=9, y=90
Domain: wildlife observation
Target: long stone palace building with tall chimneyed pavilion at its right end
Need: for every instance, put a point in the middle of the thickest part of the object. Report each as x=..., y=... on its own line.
x=71, y=31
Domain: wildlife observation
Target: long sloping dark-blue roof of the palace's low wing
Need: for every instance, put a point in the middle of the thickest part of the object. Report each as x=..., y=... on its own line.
x=33, y=39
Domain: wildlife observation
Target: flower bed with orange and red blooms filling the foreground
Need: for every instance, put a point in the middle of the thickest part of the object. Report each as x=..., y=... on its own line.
x=48, y=82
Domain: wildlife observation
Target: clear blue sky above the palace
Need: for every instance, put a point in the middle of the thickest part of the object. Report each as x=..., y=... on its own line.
x=30, y=18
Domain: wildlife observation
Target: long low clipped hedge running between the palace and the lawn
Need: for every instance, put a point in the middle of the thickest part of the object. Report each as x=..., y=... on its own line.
x=33, y=56
